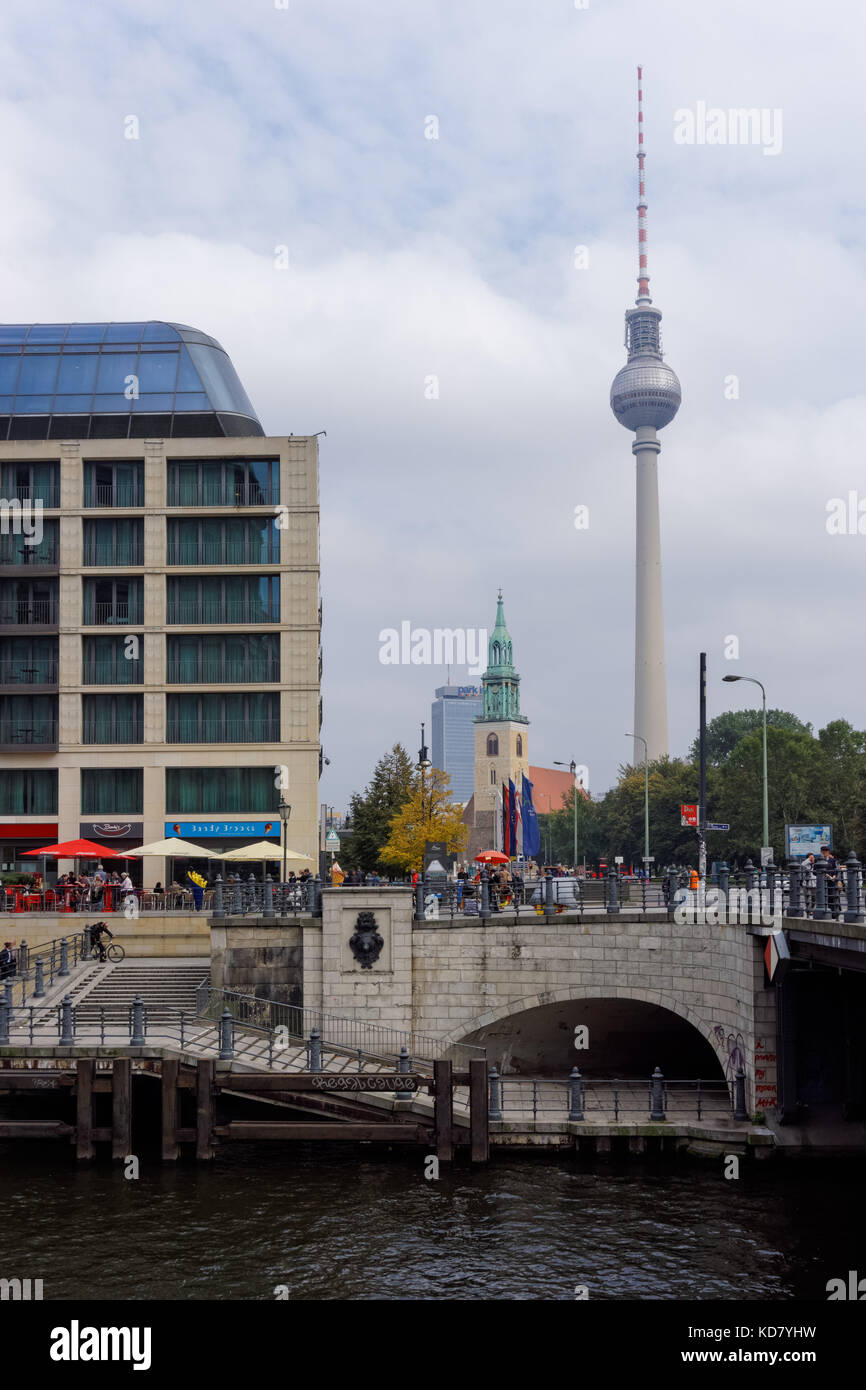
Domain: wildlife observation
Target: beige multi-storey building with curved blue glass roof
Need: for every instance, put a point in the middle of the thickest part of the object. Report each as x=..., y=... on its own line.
x=161, y=611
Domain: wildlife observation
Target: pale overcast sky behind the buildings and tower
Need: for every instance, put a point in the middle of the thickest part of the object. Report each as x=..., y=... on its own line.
x=455, y=258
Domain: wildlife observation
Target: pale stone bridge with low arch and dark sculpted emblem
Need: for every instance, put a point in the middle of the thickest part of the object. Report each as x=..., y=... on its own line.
x=648, y=992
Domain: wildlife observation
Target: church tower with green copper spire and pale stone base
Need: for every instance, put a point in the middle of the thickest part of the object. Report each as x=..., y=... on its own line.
x=501, y=735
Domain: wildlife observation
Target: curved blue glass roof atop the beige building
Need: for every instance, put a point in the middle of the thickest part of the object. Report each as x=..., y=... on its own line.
x=116, y=382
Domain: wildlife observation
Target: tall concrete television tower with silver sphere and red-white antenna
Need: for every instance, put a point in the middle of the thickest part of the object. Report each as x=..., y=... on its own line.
x=646, y=397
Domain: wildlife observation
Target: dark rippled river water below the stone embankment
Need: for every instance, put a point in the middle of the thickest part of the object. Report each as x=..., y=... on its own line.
x=358, y=1227
